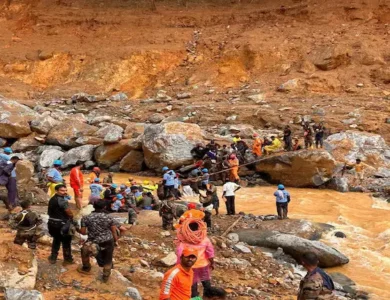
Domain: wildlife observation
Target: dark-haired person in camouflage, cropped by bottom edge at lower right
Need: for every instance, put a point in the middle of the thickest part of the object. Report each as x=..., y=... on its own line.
x=316, y=284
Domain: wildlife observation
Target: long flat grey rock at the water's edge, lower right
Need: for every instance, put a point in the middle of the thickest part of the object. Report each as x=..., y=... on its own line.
x=294, y=245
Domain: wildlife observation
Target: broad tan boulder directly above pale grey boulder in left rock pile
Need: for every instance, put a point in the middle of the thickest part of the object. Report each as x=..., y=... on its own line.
x=66, y=133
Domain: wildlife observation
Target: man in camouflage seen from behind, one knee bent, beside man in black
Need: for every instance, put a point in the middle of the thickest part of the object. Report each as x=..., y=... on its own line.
x=102, y=236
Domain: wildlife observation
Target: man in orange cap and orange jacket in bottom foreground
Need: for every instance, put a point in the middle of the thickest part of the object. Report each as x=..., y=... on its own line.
x=177, y=281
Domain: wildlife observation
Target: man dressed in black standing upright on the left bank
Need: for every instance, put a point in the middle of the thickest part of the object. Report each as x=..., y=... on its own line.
x=60, y=215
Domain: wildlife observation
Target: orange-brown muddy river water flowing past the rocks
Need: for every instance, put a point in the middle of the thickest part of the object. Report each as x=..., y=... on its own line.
x=366, y=223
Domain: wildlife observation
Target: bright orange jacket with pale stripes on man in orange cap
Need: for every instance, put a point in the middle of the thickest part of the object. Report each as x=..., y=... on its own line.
x=177, y=284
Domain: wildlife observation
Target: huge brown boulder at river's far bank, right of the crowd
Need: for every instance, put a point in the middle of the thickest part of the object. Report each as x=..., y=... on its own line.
x=306, y=168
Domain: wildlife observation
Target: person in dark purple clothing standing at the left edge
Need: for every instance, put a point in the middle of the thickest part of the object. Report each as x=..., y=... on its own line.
x=7, y=171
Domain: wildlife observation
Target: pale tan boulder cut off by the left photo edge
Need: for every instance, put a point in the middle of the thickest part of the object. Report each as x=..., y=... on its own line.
x=14, y=119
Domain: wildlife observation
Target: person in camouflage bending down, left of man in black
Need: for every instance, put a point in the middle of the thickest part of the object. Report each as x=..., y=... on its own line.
x=27, y=223
